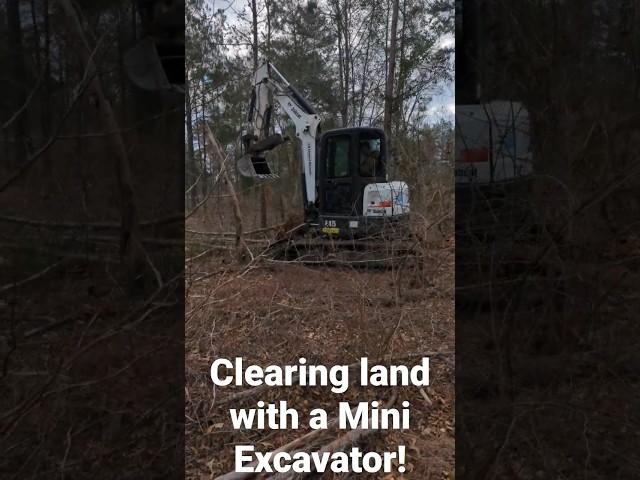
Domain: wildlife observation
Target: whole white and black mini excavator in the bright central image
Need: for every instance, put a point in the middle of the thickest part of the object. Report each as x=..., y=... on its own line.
x=349, y=205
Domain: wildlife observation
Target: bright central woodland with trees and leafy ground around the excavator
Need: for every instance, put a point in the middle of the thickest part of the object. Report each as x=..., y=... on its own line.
x=358, y=63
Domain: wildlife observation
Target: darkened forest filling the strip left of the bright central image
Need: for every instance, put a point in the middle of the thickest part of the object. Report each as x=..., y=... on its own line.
x=91, y=245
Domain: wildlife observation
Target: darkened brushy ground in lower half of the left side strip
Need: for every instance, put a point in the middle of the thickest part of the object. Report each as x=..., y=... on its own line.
x=90, y=386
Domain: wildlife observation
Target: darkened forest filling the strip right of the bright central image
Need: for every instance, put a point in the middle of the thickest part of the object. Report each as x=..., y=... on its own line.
x=547, y=272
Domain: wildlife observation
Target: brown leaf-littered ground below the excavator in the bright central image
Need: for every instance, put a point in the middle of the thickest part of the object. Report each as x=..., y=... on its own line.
x=275, y=313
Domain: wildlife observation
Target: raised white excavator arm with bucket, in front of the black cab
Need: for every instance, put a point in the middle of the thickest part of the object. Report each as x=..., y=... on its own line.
x=270, y=86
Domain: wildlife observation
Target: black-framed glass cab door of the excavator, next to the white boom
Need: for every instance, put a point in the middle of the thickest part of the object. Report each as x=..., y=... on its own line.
x=336, y=176
